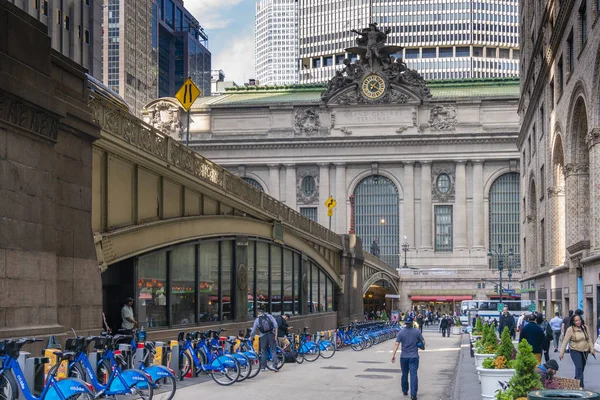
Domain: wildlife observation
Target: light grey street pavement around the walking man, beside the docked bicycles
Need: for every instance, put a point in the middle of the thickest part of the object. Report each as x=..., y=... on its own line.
x=349, y=375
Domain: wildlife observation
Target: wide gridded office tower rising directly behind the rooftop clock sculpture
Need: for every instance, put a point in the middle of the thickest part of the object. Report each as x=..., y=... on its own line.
x=442, y=39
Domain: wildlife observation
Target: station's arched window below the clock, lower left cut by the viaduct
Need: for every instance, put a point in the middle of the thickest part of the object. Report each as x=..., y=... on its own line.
x=377, y=217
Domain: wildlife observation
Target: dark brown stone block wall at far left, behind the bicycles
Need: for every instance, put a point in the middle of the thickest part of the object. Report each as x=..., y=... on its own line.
x=49, y=279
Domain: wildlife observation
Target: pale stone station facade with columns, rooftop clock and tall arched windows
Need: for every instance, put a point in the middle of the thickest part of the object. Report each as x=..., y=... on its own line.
x=427, y=165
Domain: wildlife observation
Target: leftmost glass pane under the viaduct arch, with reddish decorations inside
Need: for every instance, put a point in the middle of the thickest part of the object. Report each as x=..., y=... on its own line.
x=151, y=290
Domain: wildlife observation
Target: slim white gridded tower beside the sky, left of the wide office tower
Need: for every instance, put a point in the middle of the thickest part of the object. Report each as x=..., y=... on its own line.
x=276, y=42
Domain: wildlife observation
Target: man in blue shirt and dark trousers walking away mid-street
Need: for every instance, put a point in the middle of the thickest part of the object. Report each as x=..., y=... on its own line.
x=409, y=358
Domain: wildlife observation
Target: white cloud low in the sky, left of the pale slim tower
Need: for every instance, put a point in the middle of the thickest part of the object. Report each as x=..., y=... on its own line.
x=236, y=59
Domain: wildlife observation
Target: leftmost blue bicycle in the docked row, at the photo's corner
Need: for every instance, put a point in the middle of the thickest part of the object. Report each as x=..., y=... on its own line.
x=65, y=389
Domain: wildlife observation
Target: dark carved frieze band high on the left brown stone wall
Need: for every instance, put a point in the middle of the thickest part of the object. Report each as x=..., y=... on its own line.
x=29, y=117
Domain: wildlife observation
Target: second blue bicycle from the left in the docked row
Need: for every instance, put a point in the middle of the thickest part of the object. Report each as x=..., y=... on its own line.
x=111, y=379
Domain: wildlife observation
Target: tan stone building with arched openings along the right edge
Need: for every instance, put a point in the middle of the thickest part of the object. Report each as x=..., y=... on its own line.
x=560, y=154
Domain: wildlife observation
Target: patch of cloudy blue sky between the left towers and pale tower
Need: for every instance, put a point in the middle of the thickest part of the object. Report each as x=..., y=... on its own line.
x=230, y=28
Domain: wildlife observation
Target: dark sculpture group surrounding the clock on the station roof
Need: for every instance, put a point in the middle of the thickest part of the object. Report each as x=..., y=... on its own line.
x=393, y=81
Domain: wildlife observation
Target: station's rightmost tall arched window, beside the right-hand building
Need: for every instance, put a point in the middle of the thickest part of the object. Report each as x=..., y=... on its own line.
x=504, y=216
